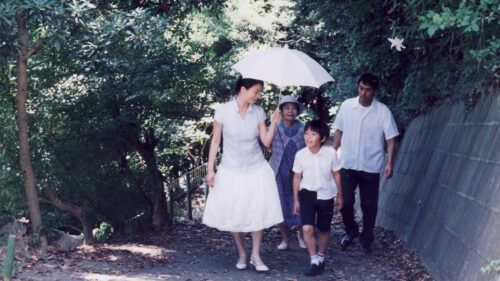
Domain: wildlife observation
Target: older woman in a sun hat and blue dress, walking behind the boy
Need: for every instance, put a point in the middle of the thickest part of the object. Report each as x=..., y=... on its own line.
x=288, y=139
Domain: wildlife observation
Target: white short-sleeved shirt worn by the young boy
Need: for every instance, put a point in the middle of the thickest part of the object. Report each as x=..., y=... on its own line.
x=317, y=170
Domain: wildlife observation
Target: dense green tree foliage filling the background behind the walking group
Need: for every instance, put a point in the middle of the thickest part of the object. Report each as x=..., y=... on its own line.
x=117, y=75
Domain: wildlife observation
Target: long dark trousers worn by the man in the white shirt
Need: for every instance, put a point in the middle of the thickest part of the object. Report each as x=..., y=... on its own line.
x=368, y=192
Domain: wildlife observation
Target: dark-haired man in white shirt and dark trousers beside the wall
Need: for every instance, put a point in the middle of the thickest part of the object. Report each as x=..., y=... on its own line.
x=363, y=123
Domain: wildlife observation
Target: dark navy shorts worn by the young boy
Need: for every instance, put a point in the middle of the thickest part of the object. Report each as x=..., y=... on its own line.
x=311, y=207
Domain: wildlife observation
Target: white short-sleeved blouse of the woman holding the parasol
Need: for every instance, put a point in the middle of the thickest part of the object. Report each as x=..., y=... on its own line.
x=241, y=149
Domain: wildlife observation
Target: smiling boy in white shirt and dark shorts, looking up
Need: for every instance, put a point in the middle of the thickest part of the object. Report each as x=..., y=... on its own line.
x=316, y=182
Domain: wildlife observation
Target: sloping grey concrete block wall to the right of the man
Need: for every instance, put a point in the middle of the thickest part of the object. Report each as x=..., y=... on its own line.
x=444, y=198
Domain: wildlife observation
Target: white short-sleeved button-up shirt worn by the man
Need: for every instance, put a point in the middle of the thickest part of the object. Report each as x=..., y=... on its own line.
x=363, y=132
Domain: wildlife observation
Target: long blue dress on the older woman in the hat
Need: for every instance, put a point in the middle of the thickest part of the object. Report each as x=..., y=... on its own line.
x=283, y=177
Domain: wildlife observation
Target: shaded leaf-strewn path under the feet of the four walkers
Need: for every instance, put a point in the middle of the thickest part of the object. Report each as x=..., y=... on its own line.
x=192, y=251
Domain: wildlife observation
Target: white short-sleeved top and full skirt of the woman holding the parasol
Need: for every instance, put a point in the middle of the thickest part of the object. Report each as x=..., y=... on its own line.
x=245, y=196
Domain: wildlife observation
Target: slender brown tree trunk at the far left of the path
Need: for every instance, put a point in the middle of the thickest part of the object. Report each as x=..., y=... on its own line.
x=22, y=125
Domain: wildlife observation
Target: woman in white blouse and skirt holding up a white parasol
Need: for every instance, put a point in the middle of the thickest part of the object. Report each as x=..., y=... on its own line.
x=243, y=195
